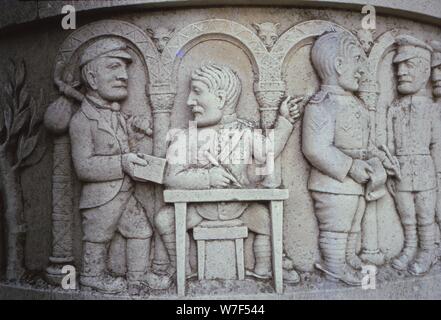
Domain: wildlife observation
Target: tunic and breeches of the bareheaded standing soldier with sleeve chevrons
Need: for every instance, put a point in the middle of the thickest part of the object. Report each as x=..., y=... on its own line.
x=336, y=130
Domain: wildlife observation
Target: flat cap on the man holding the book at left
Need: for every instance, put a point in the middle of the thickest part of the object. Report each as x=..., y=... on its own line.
x=112, y=47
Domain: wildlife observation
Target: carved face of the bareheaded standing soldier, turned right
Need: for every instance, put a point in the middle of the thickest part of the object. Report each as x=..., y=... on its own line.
x=349, y=69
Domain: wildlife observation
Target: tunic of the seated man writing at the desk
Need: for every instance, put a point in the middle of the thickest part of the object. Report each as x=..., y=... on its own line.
x=235, y=146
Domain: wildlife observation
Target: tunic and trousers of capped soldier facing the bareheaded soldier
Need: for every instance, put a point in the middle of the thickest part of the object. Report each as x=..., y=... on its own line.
x=414, y=136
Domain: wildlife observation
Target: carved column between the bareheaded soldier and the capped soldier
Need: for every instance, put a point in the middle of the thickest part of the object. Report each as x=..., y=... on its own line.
x=370, y=252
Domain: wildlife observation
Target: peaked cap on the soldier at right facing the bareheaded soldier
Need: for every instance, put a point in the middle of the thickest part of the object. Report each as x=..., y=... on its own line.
x=410, y=47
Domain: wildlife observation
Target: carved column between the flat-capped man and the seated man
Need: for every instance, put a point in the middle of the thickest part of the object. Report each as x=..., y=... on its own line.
x=162, y=101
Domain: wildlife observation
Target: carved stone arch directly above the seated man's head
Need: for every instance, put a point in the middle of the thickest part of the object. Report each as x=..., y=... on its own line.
x=215, y=29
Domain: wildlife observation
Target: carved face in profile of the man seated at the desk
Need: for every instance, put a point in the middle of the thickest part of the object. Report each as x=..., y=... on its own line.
x=205, y=105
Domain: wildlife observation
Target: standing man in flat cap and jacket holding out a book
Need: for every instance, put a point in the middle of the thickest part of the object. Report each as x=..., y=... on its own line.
x=105, y=166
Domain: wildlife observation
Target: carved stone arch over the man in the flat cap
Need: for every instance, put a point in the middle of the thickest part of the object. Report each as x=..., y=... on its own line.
x=142, y=43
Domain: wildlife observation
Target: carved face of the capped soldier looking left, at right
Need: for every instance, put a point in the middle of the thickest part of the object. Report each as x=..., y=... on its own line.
x=413, y=75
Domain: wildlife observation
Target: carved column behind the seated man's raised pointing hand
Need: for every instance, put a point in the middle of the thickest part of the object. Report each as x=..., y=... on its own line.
x=269, y=96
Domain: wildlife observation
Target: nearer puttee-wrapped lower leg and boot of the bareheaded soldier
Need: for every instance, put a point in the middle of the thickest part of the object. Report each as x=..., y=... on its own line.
x=333, y=249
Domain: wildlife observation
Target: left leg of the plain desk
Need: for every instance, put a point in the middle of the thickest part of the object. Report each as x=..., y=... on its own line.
x=180, y=229
